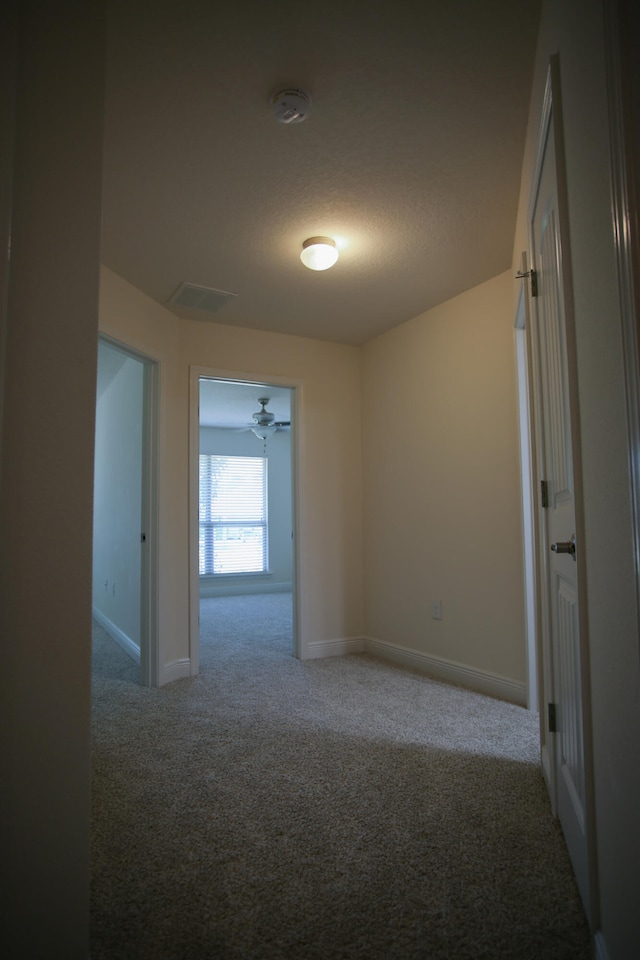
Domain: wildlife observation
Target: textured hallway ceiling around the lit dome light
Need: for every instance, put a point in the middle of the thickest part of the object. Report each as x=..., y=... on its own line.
x=410, y=158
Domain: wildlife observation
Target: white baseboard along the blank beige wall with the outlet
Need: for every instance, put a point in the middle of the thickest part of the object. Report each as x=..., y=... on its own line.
x=492, y=684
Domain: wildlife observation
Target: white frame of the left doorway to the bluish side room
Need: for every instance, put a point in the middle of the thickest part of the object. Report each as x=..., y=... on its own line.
x=149, y=652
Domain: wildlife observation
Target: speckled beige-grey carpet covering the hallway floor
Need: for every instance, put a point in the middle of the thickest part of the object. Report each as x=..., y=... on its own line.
x=322, y=810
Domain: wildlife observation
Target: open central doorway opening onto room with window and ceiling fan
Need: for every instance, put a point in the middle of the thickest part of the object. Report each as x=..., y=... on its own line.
x=243, y=459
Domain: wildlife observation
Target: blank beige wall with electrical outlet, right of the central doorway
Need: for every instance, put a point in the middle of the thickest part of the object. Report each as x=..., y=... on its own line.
x=442, y=484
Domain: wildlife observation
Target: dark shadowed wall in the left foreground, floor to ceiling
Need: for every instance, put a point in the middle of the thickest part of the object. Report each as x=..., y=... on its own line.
x=51, y=324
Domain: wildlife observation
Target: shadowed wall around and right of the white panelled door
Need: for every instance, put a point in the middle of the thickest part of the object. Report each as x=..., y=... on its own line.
x=574, y=29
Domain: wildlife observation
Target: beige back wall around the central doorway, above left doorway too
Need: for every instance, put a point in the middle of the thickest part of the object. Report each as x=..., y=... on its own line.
x=330, y=529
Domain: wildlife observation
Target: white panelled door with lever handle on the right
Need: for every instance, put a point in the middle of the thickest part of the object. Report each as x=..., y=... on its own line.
x=563, y=730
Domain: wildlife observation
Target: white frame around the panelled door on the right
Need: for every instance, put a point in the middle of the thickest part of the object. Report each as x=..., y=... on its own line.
x=551, y=116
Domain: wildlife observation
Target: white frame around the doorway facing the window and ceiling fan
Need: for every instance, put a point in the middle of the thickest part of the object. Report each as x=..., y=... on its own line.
x=197, y=373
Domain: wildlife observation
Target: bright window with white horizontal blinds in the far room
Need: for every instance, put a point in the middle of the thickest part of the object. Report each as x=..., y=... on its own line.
x=233, y=515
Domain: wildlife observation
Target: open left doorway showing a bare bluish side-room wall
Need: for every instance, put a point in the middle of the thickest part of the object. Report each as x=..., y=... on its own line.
x=124, y=536
